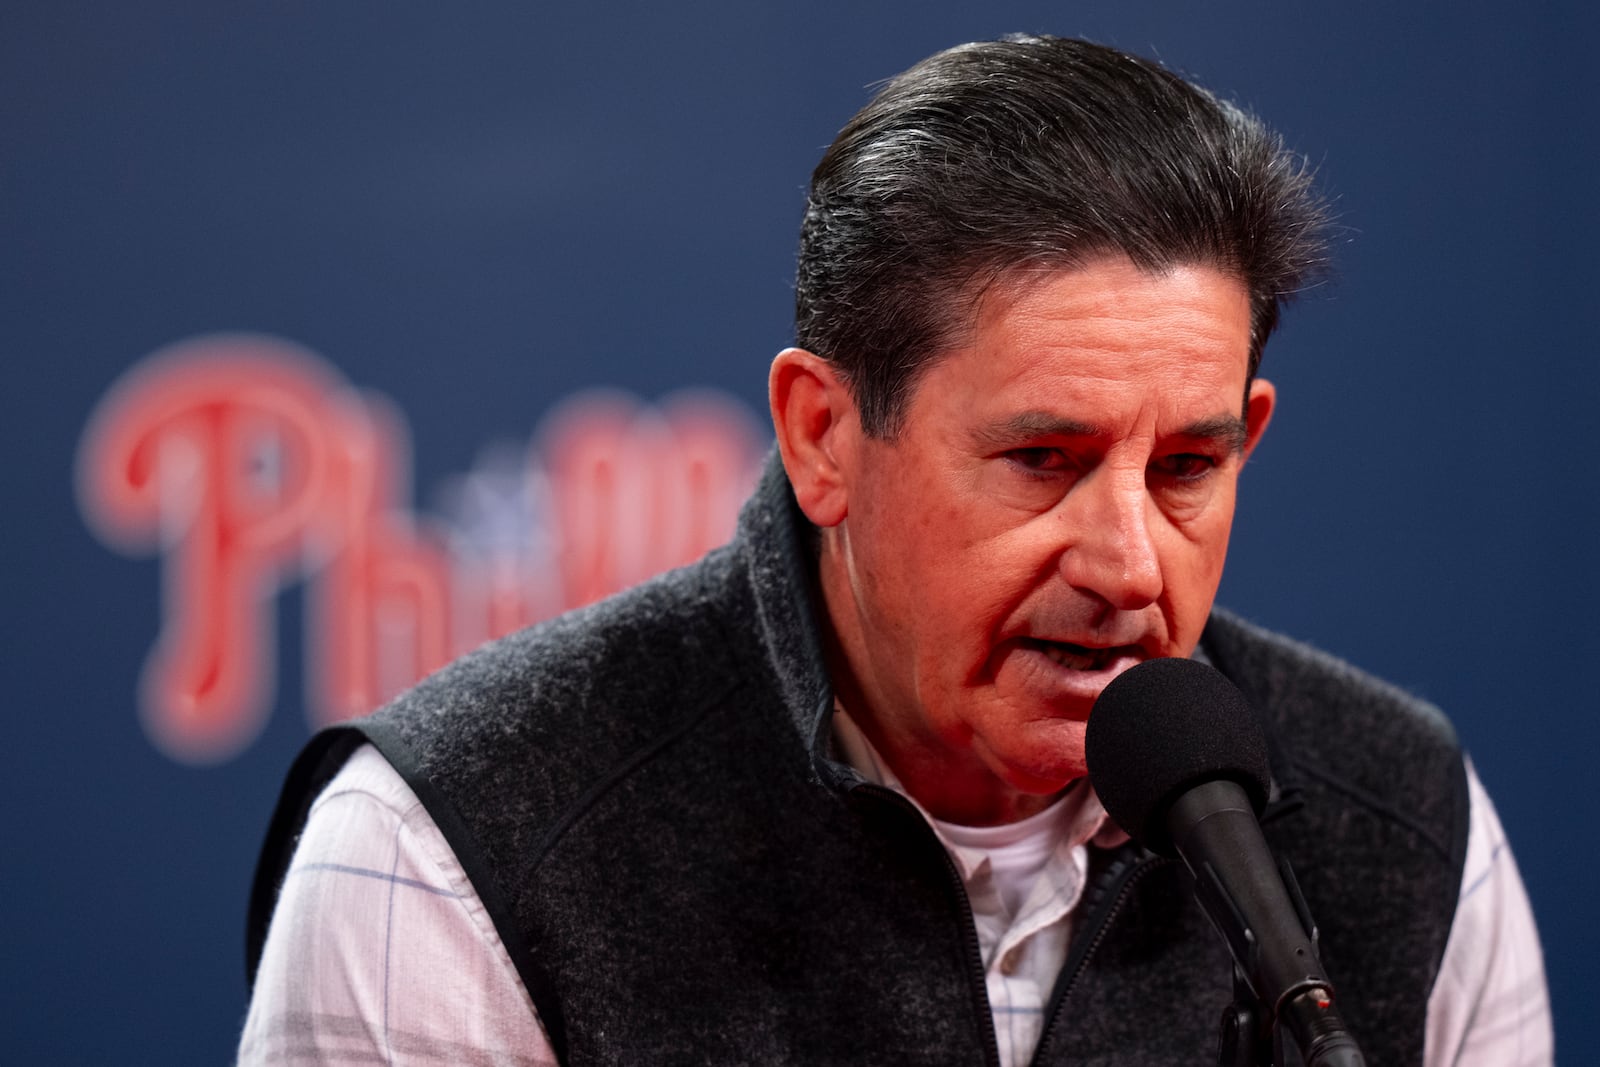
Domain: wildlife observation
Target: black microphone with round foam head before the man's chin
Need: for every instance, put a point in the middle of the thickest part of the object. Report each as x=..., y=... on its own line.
x=1180, y=762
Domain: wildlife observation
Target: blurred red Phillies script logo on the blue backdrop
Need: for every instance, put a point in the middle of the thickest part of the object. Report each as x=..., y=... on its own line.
x=247, y=463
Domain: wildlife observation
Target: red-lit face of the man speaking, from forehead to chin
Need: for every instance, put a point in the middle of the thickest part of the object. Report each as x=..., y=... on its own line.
x=1055, y=511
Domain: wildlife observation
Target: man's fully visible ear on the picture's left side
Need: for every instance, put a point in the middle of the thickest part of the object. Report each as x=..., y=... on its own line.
x=818, y=430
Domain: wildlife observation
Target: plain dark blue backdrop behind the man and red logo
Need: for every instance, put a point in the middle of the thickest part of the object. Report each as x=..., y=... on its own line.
x=481, y=209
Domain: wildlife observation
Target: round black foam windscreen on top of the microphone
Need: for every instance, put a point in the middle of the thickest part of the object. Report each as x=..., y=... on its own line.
x=1162, y=729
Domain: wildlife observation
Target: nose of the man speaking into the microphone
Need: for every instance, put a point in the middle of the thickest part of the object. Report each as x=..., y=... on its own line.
x=1111, y=551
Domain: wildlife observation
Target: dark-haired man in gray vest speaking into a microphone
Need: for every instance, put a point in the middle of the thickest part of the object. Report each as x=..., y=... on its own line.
x=822, y=799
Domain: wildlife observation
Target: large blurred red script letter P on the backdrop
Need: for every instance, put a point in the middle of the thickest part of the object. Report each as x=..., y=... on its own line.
x=215, y=454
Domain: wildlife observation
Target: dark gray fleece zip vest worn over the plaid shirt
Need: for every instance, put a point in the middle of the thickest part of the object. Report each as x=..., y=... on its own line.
x=646, y=797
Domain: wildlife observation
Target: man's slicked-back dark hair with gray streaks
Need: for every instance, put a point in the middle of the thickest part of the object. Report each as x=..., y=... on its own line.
x=1034, y=153
